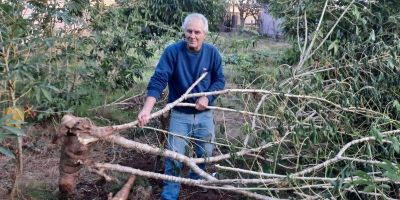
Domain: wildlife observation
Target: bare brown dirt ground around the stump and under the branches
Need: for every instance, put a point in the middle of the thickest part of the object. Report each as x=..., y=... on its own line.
x=40, y=175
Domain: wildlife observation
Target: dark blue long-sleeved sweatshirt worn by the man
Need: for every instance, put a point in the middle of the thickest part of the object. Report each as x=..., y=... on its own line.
x=180, y=68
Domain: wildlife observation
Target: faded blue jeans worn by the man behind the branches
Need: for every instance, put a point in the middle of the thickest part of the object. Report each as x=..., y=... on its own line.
x=200, y=126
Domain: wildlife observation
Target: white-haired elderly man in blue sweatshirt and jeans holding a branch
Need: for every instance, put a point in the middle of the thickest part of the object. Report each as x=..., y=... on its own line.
x=181, y=64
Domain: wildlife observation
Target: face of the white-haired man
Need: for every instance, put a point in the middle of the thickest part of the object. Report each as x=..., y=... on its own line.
x=194, y=35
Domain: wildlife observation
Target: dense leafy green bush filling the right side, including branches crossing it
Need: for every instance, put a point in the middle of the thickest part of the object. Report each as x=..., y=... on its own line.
x=336, y=100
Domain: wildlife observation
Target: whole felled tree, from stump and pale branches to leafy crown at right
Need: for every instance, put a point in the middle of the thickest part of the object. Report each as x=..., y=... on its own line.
x=327, y=127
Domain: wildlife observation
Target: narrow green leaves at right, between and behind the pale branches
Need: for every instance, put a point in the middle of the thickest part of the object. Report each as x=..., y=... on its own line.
x=355, y=64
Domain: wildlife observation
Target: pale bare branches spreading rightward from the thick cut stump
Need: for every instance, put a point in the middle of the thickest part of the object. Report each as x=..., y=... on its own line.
x=285, y=154
